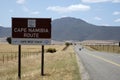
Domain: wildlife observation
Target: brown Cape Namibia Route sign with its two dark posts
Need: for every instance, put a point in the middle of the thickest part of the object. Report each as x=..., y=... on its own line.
x=31, y=31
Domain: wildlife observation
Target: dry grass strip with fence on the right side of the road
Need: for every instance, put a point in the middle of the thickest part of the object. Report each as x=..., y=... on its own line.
x=106, y=48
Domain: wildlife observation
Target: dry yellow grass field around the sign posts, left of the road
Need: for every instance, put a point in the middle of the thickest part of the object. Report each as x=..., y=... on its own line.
x=61, y=65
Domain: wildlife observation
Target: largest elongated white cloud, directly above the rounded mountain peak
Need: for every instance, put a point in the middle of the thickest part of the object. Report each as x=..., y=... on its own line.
x=71, y=8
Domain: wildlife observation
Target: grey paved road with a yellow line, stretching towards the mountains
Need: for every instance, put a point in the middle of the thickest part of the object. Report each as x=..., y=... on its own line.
x=100, y=65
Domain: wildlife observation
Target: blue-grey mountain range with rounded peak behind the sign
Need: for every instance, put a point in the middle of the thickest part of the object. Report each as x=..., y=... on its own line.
x=69, y=28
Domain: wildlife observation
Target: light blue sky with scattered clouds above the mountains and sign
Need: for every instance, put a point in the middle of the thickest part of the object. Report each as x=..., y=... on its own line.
x=97, y=12
